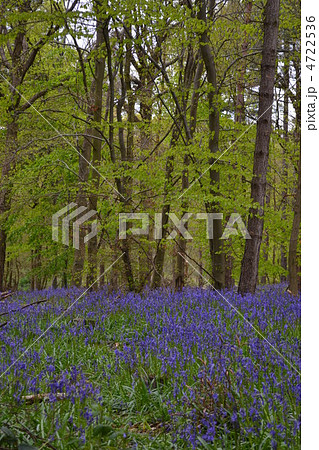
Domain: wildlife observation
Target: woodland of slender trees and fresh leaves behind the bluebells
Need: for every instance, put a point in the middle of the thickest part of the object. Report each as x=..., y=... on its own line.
x=150, y=94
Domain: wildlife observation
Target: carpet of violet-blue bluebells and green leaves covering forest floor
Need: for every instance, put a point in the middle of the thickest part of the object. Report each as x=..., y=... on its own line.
x=155, y=370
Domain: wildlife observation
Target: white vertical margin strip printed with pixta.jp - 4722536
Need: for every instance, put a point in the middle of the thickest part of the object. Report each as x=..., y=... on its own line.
x=310, y=247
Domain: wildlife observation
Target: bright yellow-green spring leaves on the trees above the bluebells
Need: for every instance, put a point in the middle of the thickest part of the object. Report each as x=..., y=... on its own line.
x=45, y=173
